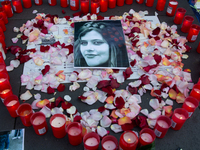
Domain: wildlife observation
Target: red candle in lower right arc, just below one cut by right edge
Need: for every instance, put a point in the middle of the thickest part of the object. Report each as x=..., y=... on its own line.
x=190, y=104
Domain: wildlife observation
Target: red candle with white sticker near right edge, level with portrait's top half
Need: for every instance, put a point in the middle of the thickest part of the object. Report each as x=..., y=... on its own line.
x=193, y=33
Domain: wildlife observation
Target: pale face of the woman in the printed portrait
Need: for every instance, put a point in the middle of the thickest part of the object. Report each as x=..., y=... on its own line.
x=94, y=49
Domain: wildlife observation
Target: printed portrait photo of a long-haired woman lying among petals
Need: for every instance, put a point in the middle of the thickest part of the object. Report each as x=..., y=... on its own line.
x=100, y=44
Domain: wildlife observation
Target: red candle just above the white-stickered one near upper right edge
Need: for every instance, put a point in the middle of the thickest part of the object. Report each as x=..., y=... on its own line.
x=187, y=22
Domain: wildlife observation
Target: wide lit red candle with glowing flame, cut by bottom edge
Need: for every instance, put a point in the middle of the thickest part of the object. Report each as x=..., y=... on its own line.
x=128, y=141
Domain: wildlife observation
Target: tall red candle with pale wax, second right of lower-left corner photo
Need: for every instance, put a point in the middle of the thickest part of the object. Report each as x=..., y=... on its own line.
x=58, y=125
